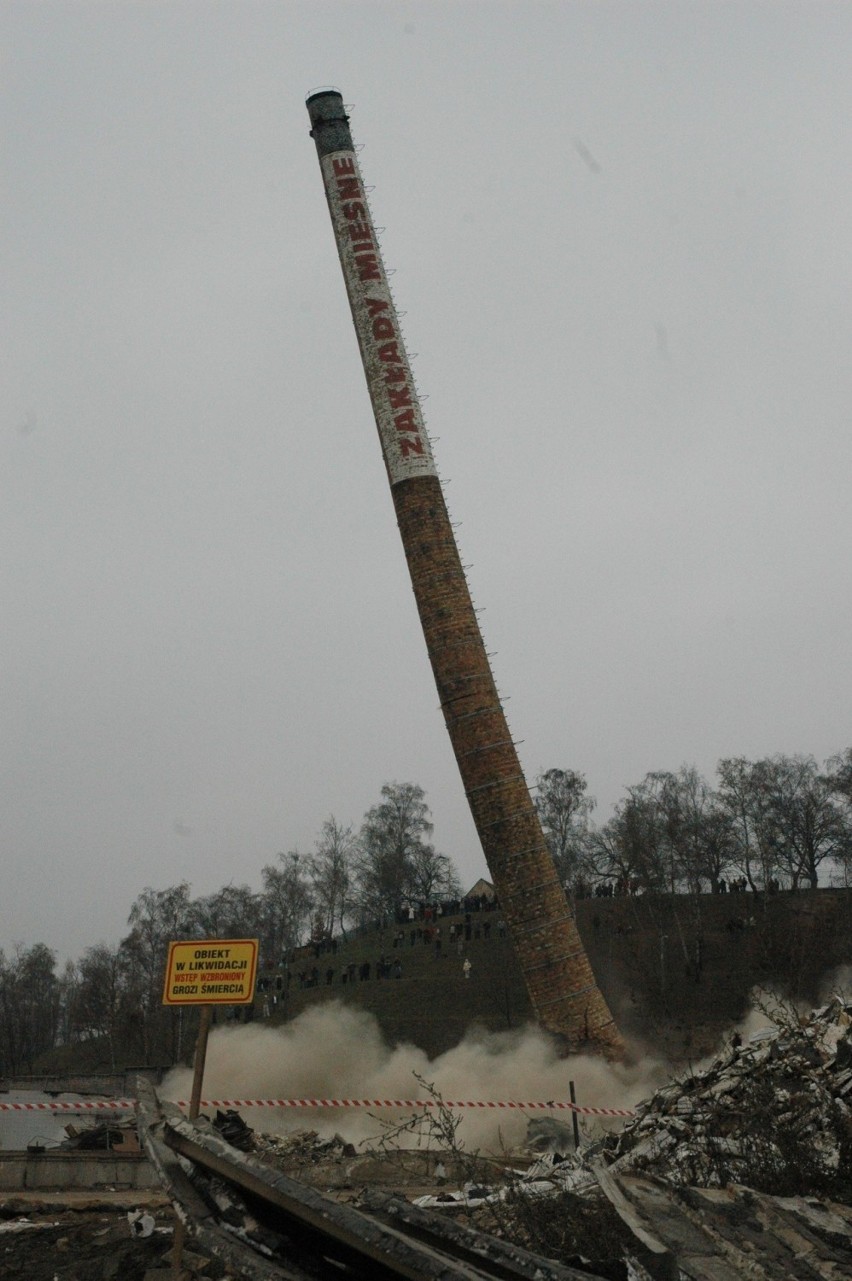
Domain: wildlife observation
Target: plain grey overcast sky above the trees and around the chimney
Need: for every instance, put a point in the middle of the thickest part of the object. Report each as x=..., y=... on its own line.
x=623, y=238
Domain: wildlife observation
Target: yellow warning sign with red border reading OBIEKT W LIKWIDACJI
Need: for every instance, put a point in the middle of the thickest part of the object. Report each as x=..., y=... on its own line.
x=211, y=972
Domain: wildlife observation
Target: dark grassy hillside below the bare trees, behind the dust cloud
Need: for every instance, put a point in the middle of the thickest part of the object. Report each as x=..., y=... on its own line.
x=677, y=970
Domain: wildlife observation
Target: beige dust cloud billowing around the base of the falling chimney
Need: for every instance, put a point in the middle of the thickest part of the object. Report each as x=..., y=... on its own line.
x=338, y=1052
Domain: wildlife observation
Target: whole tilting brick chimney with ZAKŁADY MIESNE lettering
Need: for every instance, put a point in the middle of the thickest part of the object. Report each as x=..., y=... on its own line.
x=550, y=951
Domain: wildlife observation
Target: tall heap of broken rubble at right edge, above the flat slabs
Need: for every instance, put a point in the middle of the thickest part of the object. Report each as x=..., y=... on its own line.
x=774, y=1114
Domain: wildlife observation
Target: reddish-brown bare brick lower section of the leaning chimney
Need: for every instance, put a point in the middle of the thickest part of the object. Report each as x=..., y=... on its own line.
x=550, y=952
